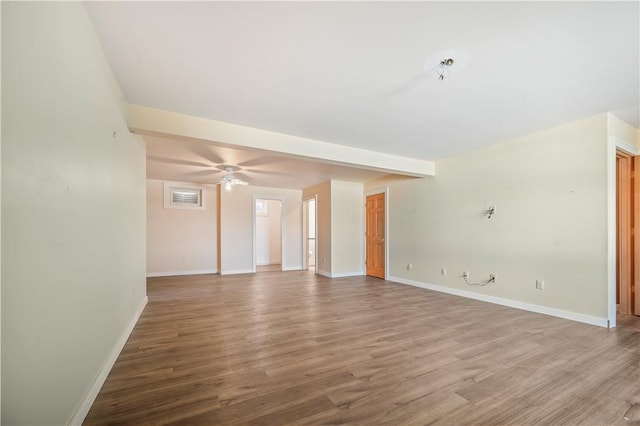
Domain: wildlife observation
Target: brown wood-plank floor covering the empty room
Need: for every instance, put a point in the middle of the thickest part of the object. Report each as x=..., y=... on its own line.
x=294, y=348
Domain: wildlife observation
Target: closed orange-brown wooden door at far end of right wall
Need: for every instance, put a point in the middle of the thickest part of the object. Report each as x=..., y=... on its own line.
x=375, y=235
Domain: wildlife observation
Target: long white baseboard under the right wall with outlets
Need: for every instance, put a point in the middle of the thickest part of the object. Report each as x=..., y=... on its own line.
x=587, y=319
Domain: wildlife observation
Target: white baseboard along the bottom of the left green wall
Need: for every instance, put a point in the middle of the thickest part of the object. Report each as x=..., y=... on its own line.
x=86, y=402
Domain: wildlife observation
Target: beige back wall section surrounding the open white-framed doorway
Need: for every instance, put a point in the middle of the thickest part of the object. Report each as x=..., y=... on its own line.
x=237, y=233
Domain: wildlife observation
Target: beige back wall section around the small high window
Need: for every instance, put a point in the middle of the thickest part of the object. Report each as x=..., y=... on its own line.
x=180, y=241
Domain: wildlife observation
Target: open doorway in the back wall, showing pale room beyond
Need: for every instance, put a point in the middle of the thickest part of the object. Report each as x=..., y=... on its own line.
x=268, y=235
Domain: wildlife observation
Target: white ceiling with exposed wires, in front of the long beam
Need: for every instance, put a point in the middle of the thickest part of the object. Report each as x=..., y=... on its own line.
x=361, y=73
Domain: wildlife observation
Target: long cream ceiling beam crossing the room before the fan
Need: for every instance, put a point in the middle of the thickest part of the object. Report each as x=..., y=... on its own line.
x=151, y=121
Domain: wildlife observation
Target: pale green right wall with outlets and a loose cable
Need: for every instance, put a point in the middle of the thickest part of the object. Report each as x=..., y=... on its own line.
x=550, y=193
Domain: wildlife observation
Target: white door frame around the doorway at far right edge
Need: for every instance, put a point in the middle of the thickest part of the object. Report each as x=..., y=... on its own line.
x=613, y=145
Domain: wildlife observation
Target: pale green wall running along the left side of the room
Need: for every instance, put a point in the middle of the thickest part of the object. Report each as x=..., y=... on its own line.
x=73, y=214
